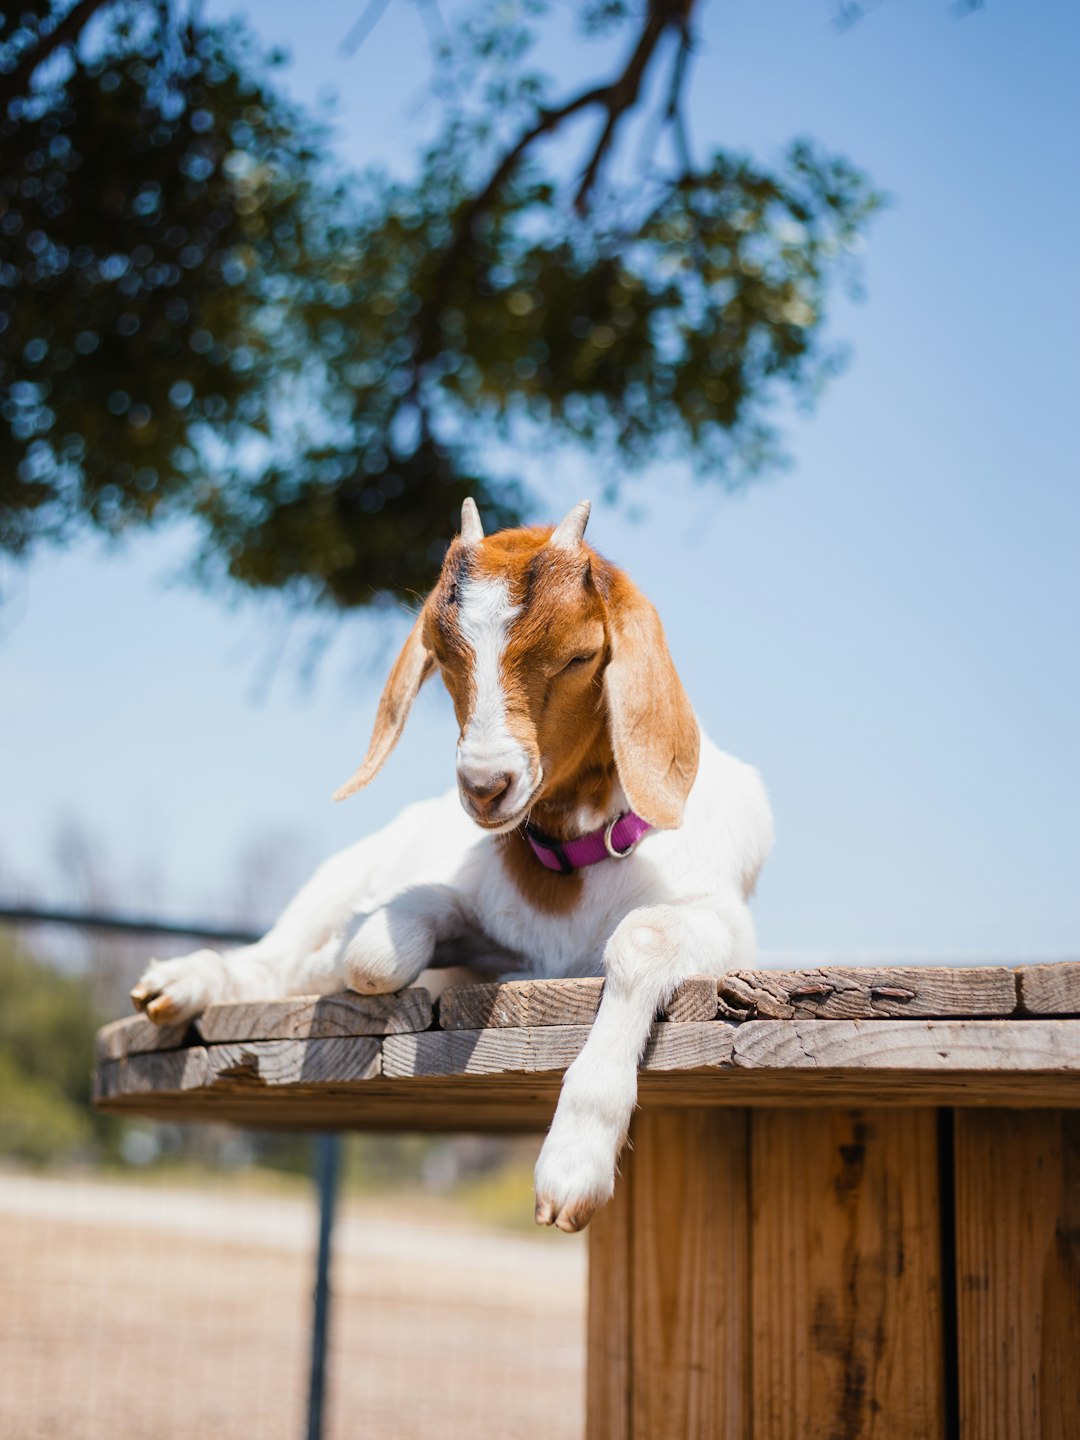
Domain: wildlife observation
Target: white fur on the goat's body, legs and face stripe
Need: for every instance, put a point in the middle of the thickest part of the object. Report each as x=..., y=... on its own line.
x=374, y=917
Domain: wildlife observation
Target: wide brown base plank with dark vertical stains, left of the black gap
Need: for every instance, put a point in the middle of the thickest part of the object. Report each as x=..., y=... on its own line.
x=846, y=1279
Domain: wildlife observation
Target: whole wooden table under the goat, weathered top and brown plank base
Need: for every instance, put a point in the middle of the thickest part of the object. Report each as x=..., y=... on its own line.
x=850, y=1206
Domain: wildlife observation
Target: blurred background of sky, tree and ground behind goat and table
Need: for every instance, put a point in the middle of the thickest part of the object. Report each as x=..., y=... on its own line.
x=788, y=289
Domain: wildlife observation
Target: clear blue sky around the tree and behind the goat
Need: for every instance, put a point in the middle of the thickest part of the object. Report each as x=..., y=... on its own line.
x=889, y=630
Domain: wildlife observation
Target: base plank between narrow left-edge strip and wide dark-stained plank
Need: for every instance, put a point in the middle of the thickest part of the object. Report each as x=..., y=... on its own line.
x=690, y=1275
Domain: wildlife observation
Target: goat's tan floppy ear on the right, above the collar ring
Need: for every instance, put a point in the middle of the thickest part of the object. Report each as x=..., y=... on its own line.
x=653, y=728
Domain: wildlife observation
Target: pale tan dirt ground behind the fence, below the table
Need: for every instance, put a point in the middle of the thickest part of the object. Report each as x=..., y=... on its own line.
x=132, y=1313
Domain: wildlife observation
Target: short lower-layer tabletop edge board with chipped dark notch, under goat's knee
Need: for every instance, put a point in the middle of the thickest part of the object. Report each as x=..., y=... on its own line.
x=341, y=1061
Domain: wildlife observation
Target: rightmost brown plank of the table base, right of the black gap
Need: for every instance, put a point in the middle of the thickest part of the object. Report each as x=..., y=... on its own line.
x=1019, y=1274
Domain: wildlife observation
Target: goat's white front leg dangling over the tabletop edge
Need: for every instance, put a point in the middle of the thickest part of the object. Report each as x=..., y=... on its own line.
x=649, y=957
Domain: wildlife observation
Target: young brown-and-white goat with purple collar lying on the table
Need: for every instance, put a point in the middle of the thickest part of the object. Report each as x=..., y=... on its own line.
x=577, y=742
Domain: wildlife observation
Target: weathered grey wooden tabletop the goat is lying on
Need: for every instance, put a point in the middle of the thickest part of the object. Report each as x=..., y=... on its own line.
x=490, y=1058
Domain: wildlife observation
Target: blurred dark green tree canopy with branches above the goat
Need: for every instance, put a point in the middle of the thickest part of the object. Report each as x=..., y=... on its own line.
x=202, y=318
